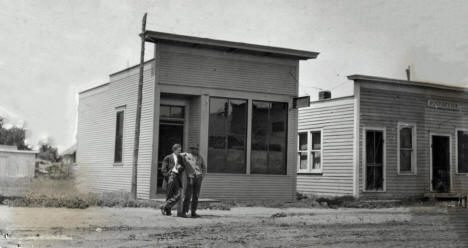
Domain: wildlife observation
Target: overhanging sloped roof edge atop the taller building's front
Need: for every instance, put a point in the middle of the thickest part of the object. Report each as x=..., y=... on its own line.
x=155, y=36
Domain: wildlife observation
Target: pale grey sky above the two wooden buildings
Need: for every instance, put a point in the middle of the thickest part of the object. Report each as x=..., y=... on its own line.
x=51, y=49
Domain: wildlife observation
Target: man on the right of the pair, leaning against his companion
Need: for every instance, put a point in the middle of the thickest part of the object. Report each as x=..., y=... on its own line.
x=196, y=170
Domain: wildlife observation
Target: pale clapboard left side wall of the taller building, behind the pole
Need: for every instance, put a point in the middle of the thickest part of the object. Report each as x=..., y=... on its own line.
x=96, y=133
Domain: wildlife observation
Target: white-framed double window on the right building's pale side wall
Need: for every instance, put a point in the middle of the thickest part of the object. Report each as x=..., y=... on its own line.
x=310, y=152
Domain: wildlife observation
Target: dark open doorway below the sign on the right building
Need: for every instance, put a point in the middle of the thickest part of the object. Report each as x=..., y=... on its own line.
x=441, y=164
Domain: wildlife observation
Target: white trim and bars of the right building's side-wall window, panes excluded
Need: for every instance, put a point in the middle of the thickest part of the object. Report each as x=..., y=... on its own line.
x=310, y=152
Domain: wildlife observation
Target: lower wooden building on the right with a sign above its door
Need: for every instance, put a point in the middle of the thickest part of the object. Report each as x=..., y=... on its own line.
x=392, y=138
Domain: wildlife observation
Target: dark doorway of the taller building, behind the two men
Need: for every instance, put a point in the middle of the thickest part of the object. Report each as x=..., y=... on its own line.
x=170, y=133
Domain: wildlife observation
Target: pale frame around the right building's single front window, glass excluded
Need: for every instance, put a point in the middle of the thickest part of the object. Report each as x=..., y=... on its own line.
x=414, y=157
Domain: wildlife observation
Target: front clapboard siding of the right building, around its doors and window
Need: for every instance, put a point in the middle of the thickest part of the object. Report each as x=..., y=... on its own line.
x=385, y=108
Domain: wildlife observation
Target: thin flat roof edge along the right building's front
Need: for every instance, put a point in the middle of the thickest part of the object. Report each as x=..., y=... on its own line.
x=355, y=77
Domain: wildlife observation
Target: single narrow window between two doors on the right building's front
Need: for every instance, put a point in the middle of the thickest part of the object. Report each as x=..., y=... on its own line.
x=407, y=149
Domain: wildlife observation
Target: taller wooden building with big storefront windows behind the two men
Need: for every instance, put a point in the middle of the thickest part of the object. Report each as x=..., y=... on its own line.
x=233, y=100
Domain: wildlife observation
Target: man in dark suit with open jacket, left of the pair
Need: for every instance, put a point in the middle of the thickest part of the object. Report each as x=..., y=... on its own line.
x=172, y=167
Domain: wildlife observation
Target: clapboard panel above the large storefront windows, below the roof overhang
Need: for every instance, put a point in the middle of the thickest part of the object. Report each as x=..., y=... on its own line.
x=215, y=69
